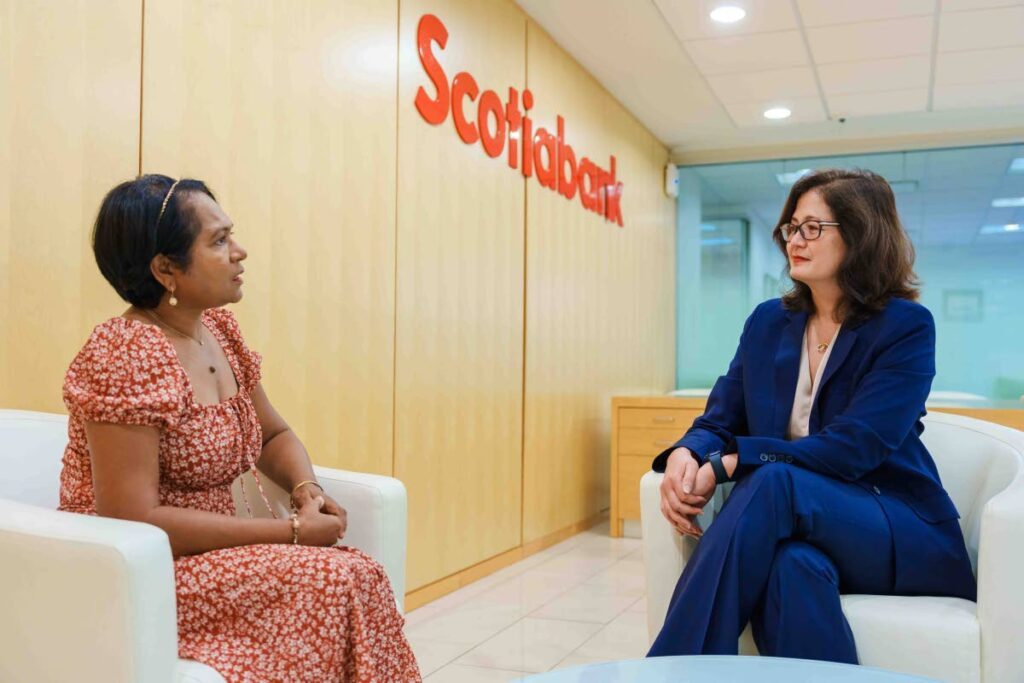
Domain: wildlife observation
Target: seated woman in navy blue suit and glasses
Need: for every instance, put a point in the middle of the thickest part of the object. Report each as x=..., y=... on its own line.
x=819, y=422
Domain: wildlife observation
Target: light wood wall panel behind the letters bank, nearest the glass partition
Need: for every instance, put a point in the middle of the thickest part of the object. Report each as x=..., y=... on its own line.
x=600, y=297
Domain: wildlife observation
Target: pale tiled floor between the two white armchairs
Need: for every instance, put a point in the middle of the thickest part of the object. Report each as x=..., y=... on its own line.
x=579, y=603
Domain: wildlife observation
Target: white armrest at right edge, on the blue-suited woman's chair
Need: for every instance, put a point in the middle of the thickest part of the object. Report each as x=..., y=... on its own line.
x=1001, y=592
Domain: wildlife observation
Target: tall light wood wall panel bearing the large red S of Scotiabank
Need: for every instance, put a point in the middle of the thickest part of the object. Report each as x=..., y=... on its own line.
x=460, y=305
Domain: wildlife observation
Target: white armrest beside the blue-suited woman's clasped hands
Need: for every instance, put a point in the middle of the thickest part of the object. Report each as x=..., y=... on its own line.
x=665, y=550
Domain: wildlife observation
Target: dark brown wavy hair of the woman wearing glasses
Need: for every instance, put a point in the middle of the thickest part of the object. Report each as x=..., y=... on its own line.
x=879, y=263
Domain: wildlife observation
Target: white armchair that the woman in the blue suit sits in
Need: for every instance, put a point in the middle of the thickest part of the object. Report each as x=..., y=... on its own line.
x=949, y=639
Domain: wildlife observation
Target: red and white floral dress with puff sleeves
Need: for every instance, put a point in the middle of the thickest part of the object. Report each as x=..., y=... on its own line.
x=267, y=613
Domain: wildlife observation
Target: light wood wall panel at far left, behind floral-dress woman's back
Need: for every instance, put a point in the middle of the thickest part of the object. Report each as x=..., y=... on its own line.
x=69, y=132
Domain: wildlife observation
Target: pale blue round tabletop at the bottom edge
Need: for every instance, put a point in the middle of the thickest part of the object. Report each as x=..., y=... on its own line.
x=722, y=670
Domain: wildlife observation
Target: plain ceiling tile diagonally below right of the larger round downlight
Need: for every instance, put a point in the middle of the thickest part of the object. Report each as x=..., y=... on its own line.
x=872, y=40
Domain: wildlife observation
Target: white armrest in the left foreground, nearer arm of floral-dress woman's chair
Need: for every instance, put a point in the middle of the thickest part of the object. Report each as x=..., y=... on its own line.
x=84, y=599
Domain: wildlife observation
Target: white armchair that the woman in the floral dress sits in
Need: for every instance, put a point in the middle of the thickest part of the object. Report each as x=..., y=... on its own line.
x=93, y=600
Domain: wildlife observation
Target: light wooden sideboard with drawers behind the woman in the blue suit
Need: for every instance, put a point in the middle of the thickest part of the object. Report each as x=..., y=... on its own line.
x=645, y=426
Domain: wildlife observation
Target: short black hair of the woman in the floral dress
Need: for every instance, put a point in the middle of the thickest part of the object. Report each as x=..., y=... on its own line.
x=127, y=235
